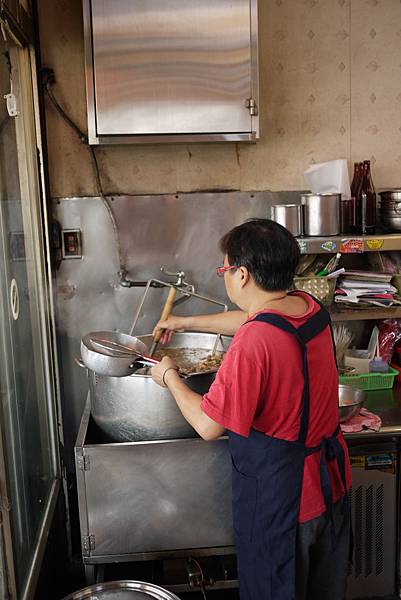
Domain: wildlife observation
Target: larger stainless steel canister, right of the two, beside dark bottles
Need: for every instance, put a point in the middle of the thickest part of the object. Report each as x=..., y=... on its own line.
x=321, y=214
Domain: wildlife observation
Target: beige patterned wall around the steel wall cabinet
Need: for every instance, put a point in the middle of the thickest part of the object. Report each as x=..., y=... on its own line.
x=330, y=76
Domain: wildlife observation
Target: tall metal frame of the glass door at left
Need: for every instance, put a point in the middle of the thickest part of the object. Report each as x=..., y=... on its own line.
x=30, y=156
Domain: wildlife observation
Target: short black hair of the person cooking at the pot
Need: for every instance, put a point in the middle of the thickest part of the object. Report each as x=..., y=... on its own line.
x=268, y=250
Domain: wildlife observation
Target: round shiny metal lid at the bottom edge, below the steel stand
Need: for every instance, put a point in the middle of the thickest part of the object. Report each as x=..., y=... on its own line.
x=122, y=590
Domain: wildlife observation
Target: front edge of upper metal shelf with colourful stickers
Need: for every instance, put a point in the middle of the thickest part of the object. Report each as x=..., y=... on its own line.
x=347, y=244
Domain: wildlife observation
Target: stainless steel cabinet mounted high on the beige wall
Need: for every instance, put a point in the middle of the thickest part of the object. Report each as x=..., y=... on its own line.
x=171, y=70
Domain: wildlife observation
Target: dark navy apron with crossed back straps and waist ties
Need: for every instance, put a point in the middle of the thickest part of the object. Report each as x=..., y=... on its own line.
x=267, y=486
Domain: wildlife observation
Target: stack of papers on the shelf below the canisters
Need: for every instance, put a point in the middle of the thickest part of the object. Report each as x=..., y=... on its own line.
x=366, y=288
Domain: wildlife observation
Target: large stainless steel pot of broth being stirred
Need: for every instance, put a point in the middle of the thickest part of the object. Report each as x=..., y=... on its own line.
x=135, y=408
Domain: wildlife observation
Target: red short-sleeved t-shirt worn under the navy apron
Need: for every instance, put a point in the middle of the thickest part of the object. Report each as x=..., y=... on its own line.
x=259, y=385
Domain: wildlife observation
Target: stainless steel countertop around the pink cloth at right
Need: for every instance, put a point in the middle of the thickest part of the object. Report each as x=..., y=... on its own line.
x=387, y=405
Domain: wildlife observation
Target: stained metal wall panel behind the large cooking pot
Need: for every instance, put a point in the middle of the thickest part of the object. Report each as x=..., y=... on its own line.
x=178, y=231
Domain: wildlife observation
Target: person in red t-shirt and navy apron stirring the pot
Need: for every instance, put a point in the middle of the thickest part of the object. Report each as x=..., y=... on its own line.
x=276, y=395
